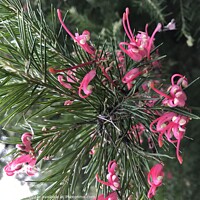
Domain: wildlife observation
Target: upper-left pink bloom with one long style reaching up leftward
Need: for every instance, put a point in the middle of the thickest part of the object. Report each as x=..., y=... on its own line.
x=82, y=40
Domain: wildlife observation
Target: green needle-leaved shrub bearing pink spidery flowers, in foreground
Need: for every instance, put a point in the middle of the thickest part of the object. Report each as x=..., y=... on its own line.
x=101, y=114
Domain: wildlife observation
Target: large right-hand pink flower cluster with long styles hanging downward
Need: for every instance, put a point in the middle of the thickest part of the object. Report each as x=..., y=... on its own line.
x=171, y=125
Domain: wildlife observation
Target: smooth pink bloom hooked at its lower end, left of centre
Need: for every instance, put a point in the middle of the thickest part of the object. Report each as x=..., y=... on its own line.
x=84, y=86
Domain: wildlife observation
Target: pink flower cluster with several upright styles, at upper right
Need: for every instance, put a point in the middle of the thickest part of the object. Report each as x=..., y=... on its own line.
x=140, y=45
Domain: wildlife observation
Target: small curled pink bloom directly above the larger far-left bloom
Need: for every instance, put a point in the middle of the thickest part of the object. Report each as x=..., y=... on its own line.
x=26, y=140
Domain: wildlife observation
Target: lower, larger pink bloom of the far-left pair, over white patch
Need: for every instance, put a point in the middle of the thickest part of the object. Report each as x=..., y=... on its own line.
x=24, y=161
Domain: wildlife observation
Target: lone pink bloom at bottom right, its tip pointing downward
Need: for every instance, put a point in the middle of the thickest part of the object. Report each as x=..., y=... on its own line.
x=155, y=177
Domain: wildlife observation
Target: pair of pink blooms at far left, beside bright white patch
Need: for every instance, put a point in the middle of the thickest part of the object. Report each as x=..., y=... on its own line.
x=26, y=161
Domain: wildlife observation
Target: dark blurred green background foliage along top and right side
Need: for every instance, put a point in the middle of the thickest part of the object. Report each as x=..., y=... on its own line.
x=182, y=47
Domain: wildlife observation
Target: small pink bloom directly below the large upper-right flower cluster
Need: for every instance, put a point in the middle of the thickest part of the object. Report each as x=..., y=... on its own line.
x=131, y=76
